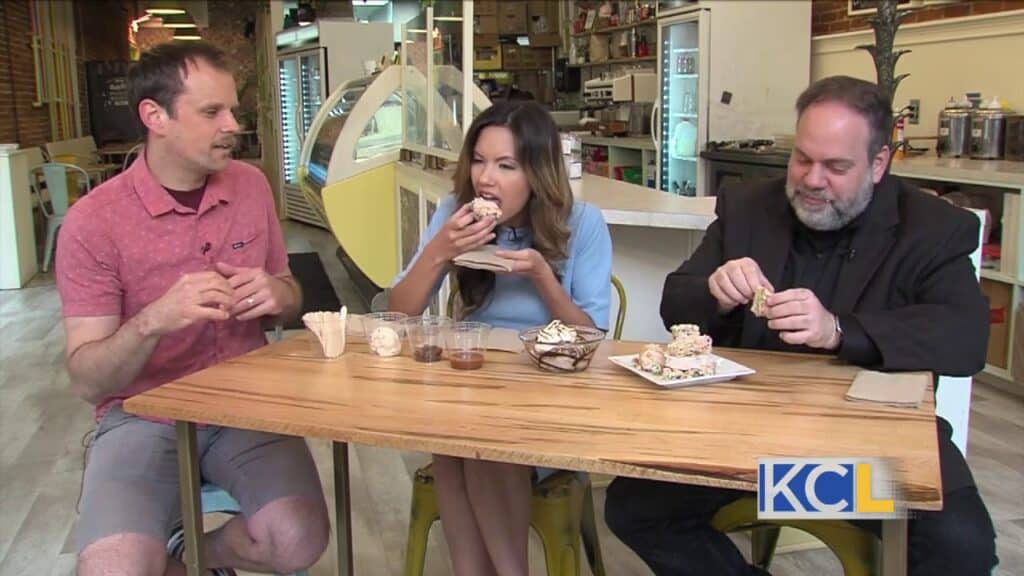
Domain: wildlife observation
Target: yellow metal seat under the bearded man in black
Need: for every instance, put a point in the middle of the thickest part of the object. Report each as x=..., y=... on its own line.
x=857, y=549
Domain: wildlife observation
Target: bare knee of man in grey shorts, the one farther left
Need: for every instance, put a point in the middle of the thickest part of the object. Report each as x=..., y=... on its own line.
x=130, y=555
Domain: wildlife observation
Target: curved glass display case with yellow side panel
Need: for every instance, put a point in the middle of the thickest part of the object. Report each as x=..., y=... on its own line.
x=348, y=166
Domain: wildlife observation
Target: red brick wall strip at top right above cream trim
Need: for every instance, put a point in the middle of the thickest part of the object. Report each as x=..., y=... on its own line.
x=830, y=17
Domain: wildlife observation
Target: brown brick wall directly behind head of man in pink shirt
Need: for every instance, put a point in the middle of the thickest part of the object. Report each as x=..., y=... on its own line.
x=229, y=23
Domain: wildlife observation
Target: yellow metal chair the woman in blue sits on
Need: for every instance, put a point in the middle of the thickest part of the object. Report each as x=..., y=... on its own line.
x=562, y=509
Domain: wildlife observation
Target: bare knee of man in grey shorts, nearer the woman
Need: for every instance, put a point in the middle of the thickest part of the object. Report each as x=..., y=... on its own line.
x=297, y=533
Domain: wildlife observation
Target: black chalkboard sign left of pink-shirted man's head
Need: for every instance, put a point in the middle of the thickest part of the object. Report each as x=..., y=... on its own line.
x=111, y=114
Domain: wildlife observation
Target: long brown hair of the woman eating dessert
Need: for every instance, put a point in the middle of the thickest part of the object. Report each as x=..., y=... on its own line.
x=539, y=153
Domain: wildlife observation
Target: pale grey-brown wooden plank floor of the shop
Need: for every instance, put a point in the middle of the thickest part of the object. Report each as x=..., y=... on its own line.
x=42, y=428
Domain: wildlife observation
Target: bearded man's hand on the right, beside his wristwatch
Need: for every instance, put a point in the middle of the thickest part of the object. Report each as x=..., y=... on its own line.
x=801, y=319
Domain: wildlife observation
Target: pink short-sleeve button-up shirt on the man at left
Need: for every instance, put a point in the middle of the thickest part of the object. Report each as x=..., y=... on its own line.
x=127, y=242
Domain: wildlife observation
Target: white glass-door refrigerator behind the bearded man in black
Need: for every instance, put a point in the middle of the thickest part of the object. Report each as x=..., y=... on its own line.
x=717, y=85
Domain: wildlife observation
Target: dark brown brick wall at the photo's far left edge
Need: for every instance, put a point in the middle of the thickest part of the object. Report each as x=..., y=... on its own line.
x=20, y=121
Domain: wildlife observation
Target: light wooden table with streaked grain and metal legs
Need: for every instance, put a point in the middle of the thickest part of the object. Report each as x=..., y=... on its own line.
x=603, y=421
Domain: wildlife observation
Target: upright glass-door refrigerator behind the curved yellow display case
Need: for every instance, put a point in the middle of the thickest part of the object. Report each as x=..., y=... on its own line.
x=311, y=63
